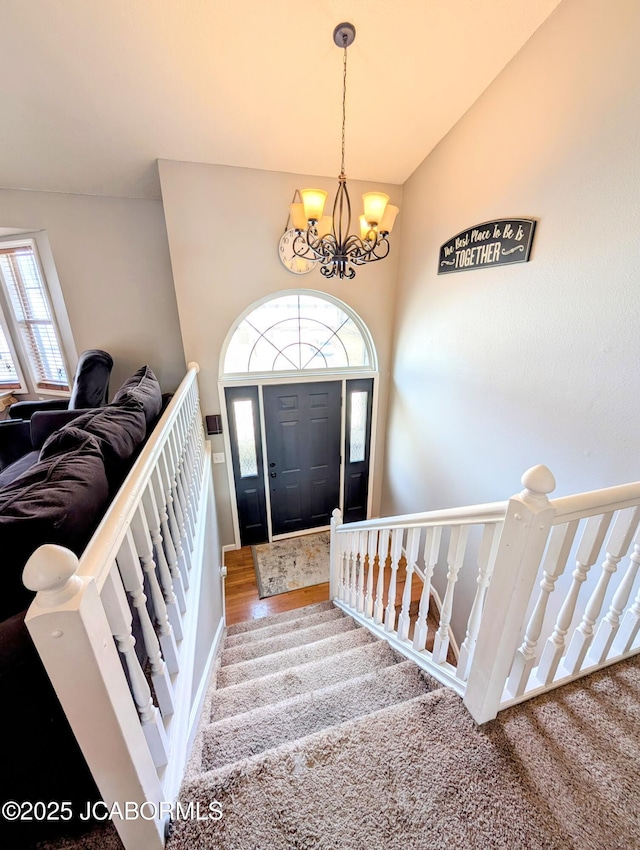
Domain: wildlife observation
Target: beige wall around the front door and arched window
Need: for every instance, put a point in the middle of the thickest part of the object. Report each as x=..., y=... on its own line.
x=223, y=226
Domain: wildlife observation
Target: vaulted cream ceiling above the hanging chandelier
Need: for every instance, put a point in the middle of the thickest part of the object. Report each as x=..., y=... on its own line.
x=92, y=92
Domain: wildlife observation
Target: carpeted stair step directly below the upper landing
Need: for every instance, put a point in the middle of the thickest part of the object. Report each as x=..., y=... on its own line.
x=245, y=735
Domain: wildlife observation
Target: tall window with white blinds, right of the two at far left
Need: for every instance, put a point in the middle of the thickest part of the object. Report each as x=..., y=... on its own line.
x=28, y=303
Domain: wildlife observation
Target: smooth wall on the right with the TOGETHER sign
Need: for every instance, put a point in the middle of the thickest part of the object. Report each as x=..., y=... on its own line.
x=498, y=369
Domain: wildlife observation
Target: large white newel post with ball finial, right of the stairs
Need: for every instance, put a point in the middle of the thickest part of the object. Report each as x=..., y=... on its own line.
x=524, y=535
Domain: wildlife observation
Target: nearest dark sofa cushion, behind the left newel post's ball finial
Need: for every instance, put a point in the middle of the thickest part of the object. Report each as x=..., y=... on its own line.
x=58, y=500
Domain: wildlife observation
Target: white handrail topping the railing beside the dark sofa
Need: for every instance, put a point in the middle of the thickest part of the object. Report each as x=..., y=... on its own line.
x=103, y=546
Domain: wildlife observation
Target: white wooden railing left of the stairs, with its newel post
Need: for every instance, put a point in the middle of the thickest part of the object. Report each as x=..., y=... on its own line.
x=154, y=541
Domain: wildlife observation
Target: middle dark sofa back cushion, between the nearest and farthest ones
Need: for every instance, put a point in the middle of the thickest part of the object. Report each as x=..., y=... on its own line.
x=119, y=430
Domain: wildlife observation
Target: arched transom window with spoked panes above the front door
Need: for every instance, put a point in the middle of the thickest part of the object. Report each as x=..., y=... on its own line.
x=299, y=332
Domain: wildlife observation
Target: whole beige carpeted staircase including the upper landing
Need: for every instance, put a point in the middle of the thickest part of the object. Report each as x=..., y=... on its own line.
x=318, y=735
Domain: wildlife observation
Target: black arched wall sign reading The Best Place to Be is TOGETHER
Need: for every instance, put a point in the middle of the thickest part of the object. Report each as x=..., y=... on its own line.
x=494, y=243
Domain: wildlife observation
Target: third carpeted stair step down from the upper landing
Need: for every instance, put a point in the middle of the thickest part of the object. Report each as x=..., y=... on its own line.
x=287, y=658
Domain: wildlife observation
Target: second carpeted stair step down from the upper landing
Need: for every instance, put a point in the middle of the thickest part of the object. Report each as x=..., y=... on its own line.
x=236, y=699
